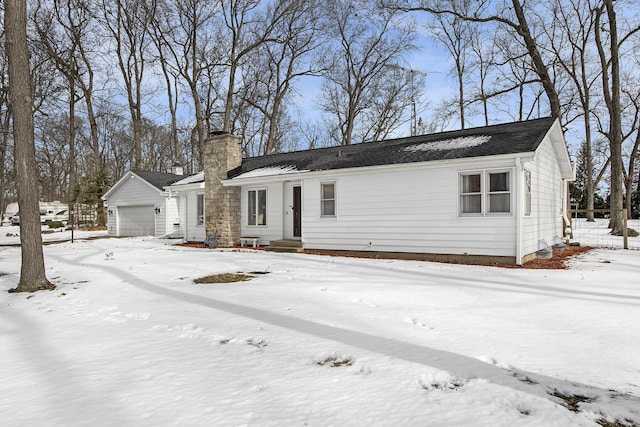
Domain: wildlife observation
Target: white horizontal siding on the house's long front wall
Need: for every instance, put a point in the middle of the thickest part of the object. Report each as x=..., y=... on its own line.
x=396, y=211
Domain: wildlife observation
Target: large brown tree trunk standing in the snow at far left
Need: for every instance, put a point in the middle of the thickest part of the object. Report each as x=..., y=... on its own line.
x=32, y=273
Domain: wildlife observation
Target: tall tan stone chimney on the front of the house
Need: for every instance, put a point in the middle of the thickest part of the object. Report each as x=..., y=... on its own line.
x=222, y=153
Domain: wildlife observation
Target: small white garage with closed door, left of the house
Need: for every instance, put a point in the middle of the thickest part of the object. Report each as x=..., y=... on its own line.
x=137, y=204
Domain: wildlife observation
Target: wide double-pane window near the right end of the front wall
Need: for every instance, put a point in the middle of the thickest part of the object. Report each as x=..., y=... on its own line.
x=485, y=193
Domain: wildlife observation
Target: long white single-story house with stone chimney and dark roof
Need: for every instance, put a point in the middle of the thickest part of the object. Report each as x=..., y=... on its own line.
x=488, y=194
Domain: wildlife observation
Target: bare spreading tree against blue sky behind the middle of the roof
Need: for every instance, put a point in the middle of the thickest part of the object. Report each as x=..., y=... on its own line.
x=369, y=43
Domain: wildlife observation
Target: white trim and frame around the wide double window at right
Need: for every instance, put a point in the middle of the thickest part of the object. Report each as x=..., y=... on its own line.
x=485, y=193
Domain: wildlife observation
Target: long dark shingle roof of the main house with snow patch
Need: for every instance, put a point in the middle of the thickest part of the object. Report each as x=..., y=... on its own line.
x=509, y=138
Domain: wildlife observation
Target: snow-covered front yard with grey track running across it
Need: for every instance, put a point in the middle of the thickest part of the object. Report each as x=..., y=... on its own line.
x=128, y=339
